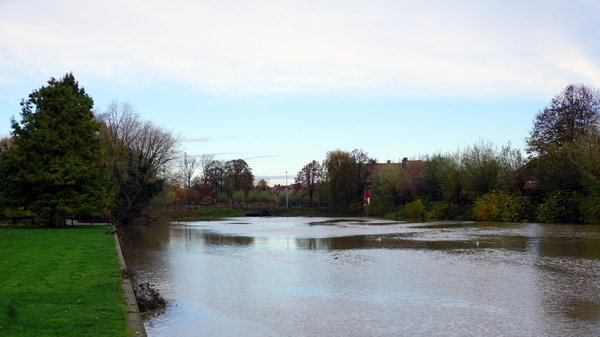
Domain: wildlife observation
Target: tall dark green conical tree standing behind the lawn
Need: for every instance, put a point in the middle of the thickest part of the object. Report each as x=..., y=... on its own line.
x=55, y=166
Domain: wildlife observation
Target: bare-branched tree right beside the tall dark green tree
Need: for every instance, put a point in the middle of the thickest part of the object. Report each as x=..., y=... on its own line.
x=139, y=155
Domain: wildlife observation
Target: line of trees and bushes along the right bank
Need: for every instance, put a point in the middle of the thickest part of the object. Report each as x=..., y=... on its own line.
x=556, y=179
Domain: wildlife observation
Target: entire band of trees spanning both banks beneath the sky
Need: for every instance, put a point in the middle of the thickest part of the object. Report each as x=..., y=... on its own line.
x=64, y=158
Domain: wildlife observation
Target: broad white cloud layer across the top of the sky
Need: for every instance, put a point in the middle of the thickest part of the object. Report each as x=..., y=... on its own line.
x=387, y=48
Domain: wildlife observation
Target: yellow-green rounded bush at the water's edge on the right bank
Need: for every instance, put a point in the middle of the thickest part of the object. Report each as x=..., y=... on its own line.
x=500, y=206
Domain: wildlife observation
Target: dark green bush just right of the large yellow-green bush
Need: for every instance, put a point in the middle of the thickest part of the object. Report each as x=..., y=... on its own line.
x=560, y=206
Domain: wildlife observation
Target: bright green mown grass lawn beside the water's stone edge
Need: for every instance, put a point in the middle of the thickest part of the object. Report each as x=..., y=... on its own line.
x=60, y=282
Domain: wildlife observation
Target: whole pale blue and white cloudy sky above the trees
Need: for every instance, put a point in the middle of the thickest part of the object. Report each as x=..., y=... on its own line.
x=281, y=83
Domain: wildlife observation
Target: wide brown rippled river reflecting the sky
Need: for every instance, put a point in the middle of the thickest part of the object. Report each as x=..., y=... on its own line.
x=367, y=277
